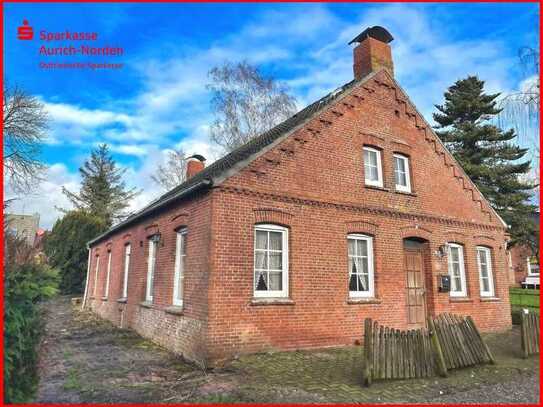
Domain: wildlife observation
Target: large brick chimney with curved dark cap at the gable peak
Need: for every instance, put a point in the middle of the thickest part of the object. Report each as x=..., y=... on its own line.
x=372, y=52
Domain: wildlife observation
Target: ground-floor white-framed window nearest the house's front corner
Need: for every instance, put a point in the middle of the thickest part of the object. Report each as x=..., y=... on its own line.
x=270, y=261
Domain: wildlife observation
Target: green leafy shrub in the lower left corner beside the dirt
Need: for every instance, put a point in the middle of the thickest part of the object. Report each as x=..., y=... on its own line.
x=24, y=286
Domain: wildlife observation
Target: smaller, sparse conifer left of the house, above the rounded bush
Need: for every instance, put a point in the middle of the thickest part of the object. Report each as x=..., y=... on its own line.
x=103, y=193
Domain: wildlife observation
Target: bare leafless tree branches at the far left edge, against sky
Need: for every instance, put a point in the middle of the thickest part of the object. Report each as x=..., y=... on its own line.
x=25, y=122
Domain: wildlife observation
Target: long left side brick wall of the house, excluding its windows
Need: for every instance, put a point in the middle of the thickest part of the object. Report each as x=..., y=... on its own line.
x=181, y=330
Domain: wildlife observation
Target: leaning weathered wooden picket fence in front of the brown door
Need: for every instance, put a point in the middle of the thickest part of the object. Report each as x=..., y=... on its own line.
x=450, y=342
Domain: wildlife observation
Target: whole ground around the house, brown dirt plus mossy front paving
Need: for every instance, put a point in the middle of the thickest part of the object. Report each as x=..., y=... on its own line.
x=85, y=359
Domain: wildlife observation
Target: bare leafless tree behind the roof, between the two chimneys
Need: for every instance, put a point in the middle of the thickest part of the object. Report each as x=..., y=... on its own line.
x=245, y=104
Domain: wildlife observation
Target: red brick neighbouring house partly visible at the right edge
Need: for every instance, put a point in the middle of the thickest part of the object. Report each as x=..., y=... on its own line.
x=524, y=264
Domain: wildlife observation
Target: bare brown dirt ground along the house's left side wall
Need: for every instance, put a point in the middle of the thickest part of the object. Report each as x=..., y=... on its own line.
x=85, y=359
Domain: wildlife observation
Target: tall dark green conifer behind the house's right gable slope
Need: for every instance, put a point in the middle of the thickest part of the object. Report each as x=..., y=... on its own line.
x=488, y=154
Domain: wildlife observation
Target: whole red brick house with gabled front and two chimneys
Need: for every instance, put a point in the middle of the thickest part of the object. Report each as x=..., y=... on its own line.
x=351, y=208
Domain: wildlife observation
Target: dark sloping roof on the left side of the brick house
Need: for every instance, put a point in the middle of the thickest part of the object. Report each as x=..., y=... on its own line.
x=206, y=177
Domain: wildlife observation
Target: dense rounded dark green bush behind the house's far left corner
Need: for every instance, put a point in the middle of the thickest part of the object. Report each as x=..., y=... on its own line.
x=66, y=247
